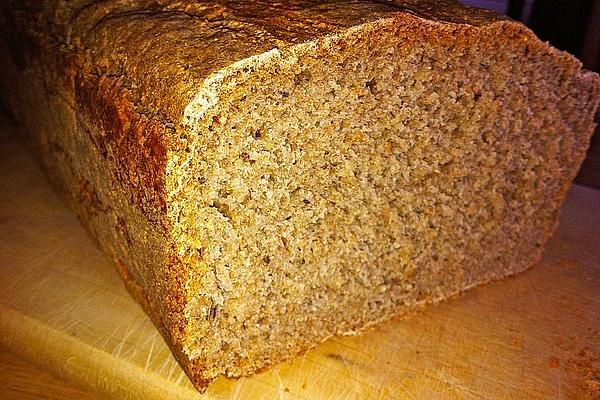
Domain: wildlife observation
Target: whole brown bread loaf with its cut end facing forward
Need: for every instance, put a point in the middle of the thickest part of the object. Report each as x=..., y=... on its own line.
x=268, y=174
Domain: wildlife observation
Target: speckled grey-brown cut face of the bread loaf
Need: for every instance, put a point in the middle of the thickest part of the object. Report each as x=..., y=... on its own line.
x=329, y=185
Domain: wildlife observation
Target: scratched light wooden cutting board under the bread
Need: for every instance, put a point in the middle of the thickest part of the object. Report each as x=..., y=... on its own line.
x=533, y=336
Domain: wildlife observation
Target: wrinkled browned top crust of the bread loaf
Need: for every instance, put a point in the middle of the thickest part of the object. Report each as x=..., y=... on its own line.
x=165, y=49
